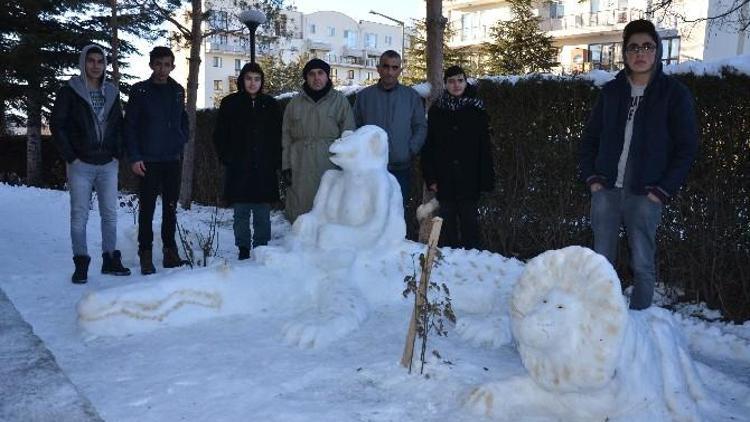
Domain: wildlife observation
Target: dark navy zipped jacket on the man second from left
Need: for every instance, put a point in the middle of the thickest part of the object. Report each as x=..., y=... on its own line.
x=156, y=130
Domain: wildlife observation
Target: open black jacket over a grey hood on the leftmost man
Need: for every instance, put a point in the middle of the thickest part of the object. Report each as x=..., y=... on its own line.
x=74, y=133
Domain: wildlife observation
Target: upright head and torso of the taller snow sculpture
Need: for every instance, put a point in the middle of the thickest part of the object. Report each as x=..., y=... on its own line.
x=359, y=206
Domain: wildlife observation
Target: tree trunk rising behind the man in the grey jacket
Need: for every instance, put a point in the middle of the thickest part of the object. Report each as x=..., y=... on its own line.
x=435, y=28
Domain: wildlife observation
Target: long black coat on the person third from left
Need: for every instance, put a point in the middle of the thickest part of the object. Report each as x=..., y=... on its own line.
x=247, y=137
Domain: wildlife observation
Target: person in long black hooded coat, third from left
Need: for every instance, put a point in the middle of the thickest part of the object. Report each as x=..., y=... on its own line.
x=247, y=137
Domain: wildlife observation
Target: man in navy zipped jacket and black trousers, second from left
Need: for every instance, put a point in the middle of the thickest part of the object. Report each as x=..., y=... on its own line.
x=156, y=130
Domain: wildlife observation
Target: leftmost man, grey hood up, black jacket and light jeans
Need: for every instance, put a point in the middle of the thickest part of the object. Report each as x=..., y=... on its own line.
x=86, y=126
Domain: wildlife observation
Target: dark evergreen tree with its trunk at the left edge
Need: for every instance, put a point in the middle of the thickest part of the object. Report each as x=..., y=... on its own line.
x=40, y=43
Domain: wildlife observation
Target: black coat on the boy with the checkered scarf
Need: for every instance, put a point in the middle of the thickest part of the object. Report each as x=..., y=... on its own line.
x=457, y=153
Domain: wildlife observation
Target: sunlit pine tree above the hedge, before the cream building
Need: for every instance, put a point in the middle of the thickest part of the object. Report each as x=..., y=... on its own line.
x=519, y=46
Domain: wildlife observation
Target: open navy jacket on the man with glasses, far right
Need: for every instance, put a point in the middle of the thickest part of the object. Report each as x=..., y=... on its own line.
x=664, y=140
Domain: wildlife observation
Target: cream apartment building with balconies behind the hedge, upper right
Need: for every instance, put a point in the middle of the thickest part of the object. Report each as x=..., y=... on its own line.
x=588, y=33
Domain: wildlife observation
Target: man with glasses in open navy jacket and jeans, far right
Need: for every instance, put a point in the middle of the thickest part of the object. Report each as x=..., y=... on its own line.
x=637, y=148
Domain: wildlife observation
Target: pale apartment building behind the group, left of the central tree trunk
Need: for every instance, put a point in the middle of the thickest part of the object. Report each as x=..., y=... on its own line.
x=351, y=47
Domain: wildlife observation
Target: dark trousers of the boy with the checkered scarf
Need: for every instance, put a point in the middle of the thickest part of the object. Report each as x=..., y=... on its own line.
x=459, y=217
